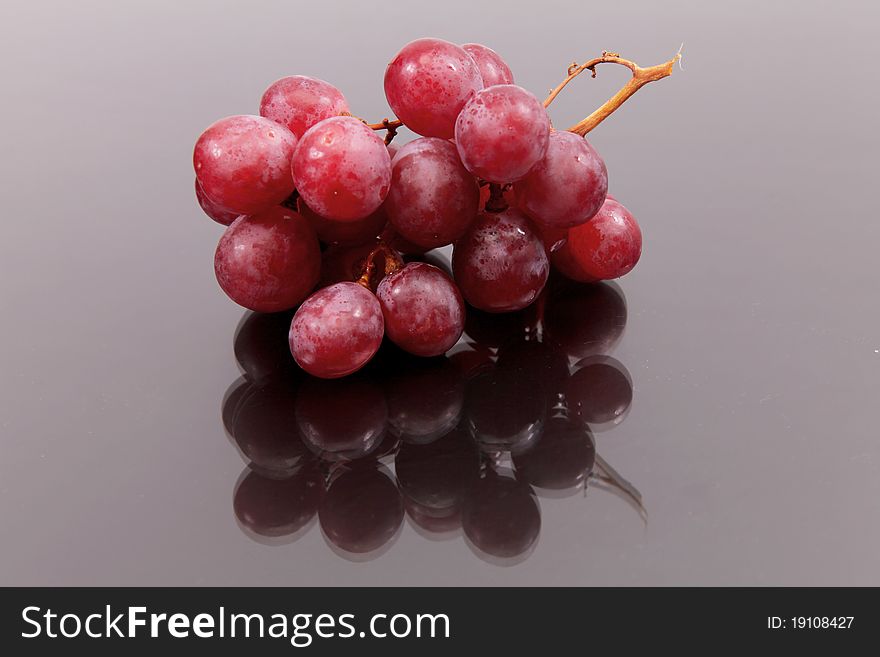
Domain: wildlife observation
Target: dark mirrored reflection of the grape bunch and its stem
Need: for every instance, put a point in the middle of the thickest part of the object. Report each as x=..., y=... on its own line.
x=460, y=445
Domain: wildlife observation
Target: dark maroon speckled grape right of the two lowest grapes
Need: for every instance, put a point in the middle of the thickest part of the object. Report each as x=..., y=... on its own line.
x=500, y=264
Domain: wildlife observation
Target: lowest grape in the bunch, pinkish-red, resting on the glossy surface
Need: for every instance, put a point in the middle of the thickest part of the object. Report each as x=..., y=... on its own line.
x=337, y=330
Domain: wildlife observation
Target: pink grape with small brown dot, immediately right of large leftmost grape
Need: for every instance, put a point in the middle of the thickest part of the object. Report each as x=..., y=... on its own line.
x=342, y=169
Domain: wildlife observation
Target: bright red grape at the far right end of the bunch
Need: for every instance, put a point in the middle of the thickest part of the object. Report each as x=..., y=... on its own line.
x=608, y=246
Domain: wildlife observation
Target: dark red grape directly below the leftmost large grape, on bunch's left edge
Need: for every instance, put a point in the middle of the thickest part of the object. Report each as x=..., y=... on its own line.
x=269, y=261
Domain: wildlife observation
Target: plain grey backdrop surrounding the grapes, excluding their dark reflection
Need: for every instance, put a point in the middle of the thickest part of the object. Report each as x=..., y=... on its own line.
x=754, y=324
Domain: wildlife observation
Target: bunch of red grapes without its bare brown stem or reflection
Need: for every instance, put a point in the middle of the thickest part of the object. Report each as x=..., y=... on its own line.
x=320, y=210
